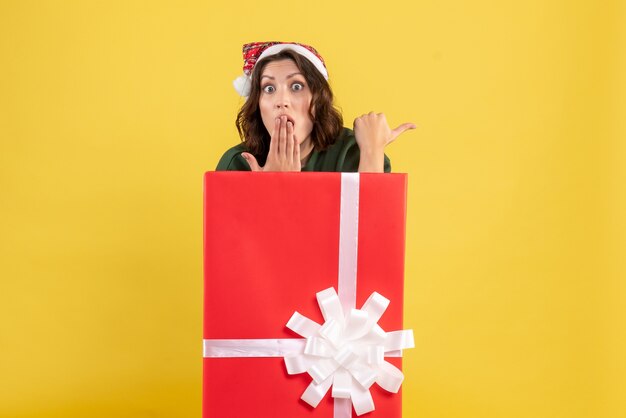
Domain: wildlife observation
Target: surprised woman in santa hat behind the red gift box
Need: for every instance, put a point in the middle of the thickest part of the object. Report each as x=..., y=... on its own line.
x=289, y=122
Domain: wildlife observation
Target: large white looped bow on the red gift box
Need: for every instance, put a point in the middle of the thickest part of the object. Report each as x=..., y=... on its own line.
x=347, y=352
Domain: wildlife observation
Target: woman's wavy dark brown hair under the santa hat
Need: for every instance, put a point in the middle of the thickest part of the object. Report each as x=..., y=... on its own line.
x=327, y=120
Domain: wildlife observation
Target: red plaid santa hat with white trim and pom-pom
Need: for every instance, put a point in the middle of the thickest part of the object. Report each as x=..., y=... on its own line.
x=256, y=51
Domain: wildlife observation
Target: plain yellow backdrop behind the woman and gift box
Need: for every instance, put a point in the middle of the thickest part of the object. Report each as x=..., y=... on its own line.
x=110, y=112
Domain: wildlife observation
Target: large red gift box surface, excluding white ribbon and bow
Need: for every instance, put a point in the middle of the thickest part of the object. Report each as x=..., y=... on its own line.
x=271, y=242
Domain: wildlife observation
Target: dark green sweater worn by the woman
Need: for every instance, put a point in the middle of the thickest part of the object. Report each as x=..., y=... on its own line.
x=342, y=156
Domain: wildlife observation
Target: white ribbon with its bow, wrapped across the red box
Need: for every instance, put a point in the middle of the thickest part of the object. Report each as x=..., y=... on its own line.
x=346, y=352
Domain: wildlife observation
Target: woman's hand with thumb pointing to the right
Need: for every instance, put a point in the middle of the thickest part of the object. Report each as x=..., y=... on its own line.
x=373, y=134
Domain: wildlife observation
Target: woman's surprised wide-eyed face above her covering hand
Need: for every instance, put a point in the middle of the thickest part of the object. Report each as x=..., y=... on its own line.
x=284, y=91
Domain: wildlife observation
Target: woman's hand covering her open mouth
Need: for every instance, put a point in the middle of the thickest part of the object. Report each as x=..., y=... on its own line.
x=284, y=153
